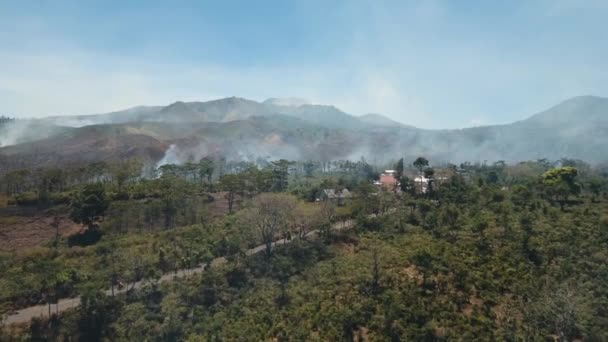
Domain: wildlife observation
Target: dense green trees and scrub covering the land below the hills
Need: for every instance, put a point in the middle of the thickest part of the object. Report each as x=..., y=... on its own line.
x=486, y=252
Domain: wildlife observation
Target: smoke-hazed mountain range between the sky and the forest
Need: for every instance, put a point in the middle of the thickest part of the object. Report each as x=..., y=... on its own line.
x=293, y=129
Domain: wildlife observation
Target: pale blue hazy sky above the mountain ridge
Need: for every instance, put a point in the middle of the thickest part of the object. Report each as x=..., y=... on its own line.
x=431, y=64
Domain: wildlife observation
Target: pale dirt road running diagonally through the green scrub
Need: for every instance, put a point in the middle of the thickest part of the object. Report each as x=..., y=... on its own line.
x=25, y=315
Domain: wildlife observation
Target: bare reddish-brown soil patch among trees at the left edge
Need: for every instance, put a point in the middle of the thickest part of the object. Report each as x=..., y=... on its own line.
x=17, y=232
